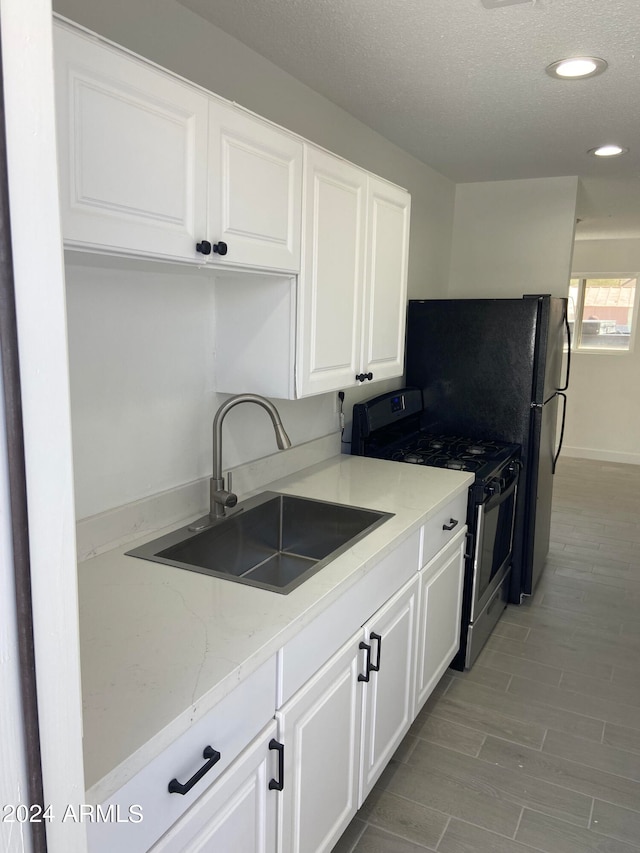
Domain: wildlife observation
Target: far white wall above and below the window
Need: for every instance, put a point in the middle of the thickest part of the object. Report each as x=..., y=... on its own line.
x=603, y=414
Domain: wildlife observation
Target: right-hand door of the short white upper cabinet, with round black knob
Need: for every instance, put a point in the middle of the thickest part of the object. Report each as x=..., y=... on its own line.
x=255, y=191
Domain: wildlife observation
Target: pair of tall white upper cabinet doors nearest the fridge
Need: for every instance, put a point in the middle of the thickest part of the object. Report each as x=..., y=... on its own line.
x=353, y=286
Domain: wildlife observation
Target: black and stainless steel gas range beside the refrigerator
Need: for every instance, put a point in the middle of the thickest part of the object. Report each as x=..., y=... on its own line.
x=389, y=427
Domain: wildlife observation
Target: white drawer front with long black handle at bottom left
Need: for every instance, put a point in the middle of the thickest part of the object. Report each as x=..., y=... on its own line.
x=228, y=728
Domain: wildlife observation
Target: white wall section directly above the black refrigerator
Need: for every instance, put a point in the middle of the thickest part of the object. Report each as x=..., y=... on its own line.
x=513, y=237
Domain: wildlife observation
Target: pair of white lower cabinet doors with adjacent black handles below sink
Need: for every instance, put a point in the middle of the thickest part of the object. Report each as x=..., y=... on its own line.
x=340, y=730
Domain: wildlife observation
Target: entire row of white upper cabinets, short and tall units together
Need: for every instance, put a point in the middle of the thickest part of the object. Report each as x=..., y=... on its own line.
x=154, y=167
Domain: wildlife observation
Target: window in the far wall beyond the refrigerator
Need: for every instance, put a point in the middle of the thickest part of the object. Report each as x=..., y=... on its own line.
x=602, y=313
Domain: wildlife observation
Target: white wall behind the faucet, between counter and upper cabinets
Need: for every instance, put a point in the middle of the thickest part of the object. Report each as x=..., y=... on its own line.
x=142, y=349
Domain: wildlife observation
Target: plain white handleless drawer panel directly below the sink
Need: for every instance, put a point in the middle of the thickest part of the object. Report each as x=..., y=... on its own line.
x=308, y=651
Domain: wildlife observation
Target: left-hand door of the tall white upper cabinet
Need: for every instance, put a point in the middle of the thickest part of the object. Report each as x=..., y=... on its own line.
x=330, y=287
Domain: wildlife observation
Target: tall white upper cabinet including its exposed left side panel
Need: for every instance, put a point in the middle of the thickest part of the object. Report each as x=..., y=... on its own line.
x=349, y=322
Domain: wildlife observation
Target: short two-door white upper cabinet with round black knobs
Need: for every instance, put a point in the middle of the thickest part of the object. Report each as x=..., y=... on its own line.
x=155, y=167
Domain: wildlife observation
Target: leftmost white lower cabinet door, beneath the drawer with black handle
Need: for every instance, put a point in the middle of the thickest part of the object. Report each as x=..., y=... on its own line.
x=238, y=813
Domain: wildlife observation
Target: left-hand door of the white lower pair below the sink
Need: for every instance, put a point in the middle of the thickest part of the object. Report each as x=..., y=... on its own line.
x=320, y=730
